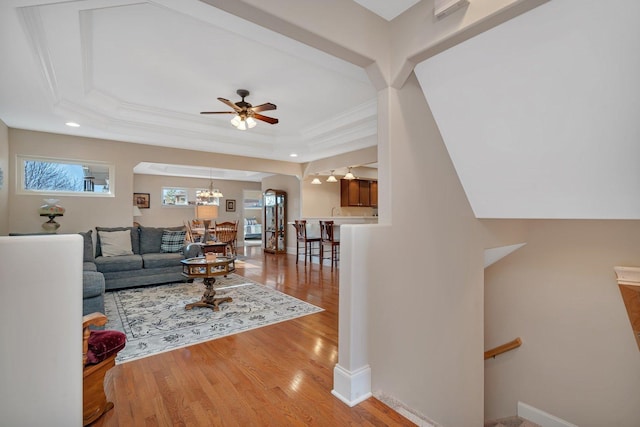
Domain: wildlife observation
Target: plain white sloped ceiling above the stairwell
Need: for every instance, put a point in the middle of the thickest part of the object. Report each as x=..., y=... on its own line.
x=540, y=115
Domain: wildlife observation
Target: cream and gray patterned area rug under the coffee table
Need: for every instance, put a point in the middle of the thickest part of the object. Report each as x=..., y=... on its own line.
x=155, y=320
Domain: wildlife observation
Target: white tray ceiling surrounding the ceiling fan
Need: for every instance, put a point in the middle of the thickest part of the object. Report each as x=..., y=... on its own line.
x=141, y=71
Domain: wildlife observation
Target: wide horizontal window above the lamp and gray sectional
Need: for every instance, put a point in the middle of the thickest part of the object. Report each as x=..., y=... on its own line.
x=68, y=177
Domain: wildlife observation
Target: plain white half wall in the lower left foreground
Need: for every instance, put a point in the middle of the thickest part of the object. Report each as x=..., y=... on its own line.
x=41, y=330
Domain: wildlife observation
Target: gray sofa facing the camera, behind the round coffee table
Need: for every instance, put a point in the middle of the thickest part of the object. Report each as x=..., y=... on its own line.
x=148, y=264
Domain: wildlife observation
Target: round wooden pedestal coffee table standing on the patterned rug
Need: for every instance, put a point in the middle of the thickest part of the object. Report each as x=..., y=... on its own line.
x=208, y=270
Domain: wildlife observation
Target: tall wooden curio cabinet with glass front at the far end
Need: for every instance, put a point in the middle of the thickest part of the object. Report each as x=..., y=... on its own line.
x=275, y=221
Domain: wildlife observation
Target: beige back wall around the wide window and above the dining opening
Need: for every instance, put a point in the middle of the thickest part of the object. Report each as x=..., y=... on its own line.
x=83, y=213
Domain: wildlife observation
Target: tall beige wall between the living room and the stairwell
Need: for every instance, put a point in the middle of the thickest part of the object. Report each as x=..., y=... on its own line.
x=426, y=295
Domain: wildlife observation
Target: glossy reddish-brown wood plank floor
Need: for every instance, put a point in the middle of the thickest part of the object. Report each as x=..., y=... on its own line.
x=278, y=375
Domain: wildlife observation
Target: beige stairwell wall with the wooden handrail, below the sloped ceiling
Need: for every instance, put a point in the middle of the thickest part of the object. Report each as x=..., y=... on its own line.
x=579, y=360
